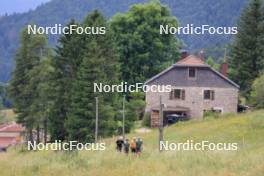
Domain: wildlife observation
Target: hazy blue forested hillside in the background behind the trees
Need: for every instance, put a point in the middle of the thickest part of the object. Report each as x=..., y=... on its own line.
x=197, y=12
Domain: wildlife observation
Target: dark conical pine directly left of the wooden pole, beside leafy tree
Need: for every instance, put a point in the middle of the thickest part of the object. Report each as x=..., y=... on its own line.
x=81, y=120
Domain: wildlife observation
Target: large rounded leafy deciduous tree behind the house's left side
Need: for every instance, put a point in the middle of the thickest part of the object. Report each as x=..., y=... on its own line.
x=143, y=51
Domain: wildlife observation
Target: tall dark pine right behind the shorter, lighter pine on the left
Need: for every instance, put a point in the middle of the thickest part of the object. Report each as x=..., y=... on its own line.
x=66, y=64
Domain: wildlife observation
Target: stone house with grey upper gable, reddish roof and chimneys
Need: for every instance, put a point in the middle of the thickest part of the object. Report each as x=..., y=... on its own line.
x=196, y=88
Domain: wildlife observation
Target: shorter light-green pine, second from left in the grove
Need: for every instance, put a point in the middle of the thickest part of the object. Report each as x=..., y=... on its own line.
x=41, y=82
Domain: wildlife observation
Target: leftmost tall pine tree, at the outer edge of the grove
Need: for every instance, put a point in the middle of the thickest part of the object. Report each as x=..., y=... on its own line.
x=28, y=56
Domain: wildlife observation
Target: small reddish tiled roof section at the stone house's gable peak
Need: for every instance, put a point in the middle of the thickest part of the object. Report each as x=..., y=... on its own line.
x=191, y=61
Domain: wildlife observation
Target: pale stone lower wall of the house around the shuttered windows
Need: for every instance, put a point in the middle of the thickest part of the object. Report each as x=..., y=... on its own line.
x=226, y=100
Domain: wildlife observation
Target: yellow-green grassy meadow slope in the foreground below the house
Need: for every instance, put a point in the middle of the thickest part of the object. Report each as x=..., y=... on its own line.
x=246, y=129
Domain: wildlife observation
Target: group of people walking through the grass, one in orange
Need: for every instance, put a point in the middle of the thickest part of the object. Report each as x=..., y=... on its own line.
x=134, y=146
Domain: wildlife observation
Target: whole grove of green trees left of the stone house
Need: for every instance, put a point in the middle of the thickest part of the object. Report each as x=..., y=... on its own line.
x=52, y=89
